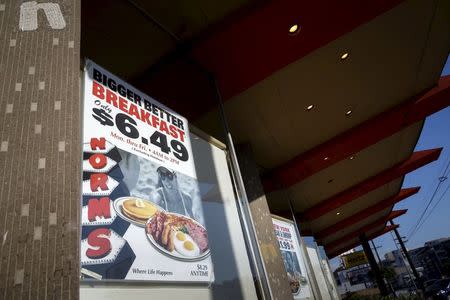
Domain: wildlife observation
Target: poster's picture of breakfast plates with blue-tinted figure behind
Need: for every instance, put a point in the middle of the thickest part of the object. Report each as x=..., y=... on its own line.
x=167, y=205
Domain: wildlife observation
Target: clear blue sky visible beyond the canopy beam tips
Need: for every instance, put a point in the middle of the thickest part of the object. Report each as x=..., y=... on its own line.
x=435, y=134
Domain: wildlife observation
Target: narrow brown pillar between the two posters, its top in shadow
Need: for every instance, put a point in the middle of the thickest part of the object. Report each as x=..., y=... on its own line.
x=268, y=243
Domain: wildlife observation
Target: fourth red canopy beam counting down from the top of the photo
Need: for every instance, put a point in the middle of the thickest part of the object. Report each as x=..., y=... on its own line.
x=359, y=216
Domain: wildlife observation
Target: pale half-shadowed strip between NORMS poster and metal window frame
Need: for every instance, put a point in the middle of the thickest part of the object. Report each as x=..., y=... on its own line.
x=219, y=213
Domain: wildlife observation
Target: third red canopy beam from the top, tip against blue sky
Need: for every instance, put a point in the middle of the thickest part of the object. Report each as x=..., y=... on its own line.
x=415, y=161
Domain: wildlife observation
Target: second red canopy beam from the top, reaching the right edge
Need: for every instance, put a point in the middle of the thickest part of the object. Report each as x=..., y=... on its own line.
x=360, y=137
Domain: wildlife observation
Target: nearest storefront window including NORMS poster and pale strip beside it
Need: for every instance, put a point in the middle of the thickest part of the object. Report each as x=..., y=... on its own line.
x=158, y=206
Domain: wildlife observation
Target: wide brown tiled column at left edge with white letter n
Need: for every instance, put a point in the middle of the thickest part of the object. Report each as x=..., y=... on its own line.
x=40, y=150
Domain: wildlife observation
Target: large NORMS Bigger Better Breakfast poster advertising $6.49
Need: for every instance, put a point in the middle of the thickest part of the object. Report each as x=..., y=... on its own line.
x=141, y=213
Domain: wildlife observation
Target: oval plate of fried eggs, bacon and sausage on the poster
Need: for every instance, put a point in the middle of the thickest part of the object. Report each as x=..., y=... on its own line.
x=177, y=236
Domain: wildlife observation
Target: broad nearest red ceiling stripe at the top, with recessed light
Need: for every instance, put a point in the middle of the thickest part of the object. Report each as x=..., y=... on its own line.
x=253, y=47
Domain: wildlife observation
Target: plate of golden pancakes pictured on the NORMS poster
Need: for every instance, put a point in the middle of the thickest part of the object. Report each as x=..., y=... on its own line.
x=136, y=210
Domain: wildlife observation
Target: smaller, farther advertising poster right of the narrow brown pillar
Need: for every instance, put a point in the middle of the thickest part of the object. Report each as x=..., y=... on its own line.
x=293, y=258
